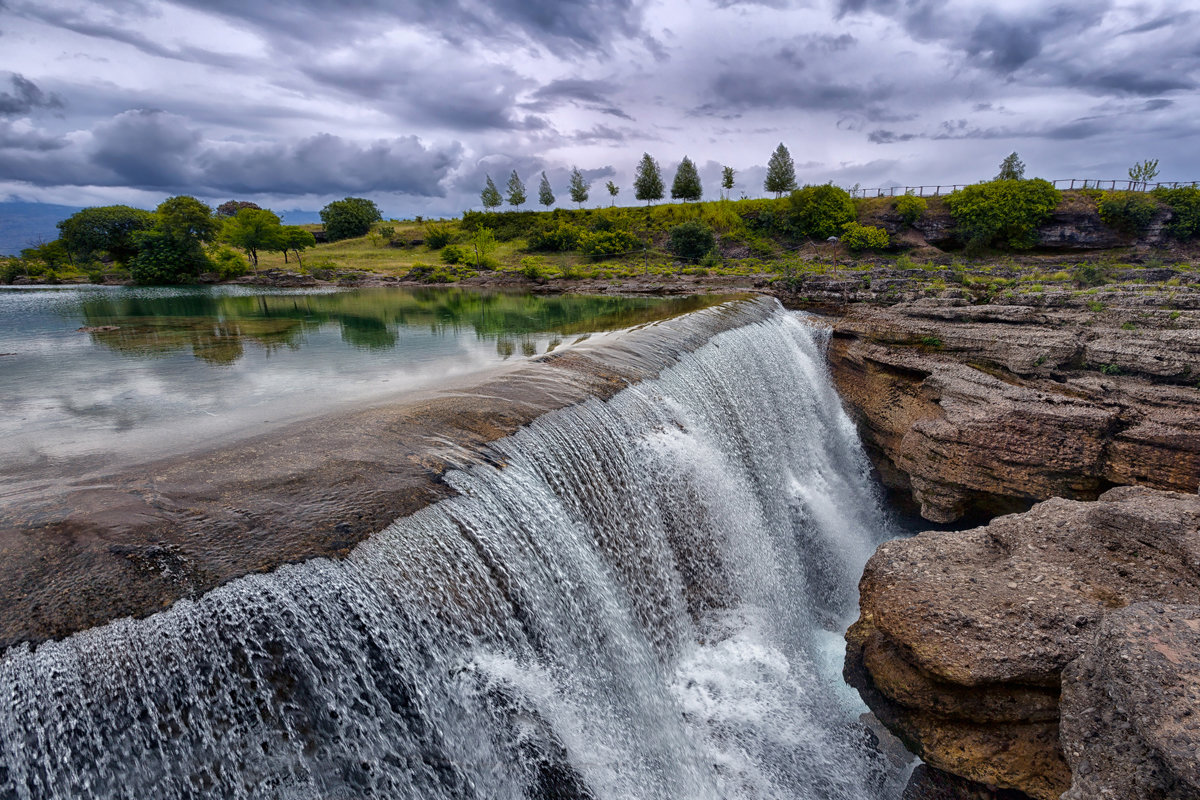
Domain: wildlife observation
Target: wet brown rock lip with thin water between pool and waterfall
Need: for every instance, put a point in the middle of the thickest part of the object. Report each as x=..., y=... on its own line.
x=135, y=542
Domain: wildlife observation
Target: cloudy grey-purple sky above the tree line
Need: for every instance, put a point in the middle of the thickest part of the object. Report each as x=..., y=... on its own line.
x=412, y=103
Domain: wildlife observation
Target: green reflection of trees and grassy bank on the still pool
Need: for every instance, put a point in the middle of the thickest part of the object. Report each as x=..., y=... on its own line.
x=217, y=328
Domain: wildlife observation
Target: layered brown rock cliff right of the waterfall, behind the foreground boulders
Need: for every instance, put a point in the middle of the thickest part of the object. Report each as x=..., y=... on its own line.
x=992, y=408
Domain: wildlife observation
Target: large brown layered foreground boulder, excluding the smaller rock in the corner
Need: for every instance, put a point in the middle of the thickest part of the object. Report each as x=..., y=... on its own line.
x=964, y=637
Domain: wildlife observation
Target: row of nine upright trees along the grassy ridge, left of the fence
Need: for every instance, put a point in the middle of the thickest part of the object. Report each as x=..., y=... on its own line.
x=649, y=183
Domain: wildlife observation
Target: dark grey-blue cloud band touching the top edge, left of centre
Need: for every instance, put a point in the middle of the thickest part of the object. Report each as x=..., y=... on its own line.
x=562, y=26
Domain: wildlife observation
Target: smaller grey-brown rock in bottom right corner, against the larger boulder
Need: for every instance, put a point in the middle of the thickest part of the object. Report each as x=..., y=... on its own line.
x=1131, y=707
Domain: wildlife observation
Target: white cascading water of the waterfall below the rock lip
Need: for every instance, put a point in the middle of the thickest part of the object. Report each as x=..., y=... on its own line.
x=643, y=598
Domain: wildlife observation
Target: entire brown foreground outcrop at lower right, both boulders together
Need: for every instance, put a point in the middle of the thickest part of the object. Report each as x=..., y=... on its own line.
x=964, y=639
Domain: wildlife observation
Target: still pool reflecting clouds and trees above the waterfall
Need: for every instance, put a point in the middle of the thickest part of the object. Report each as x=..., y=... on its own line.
x=93, y=375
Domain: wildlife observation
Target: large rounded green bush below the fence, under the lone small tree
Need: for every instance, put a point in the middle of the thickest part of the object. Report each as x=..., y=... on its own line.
x=1004, y=213
